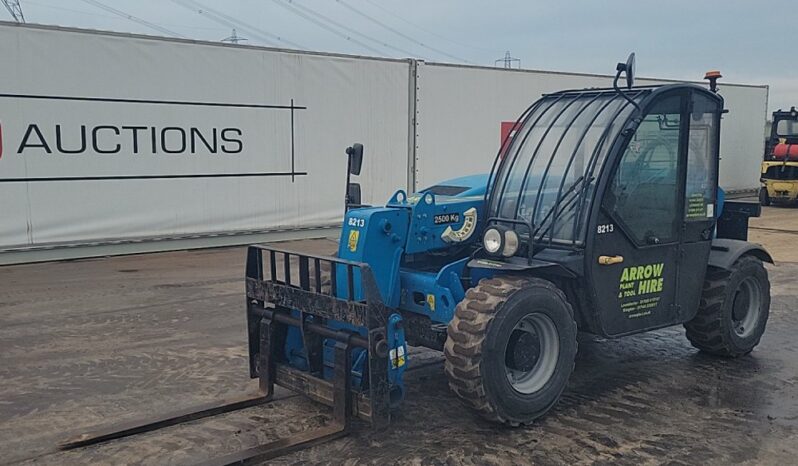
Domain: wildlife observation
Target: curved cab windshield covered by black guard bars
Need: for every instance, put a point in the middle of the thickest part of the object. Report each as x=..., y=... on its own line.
x=554, y=159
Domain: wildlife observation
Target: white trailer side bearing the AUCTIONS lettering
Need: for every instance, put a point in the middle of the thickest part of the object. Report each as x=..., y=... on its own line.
x=129, y=142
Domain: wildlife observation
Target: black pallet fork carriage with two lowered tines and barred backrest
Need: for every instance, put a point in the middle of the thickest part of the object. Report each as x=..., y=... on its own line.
x=298, y=299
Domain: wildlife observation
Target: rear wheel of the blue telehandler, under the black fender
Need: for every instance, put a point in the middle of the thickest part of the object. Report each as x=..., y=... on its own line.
x=727, y=303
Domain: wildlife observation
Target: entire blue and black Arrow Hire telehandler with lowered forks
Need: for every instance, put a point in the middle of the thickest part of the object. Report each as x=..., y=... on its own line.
x=602, y=214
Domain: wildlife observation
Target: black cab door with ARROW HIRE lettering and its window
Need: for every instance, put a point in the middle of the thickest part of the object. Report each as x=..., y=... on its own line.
x=633, y=261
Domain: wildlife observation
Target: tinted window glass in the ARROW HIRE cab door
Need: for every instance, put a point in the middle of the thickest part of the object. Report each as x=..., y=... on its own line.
x=643, y=193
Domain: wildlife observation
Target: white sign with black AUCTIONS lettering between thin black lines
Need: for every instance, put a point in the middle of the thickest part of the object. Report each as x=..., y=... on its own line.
x=128, y=139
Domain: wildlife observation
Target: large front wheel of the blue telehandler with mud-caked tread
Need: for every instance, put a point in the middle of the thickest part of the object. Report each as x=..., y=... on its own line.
x=485, y=323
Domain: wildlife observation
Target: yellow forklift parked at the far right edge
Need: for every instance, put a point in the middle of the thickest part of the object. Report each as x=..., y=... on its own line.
x=780, y=168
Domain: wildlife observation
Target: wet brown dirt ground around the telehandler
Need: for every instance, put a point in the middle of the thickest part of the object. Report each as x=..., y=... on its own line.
x=92, y=342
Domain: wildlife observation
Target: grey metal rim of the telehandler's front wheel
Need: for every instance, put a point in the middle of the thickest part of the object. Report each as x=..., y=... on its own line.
x=531, y=353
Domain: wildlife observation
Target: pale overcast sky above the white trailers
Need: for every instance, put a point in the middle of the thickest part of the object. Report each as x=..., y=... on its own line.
x=749, y=41
